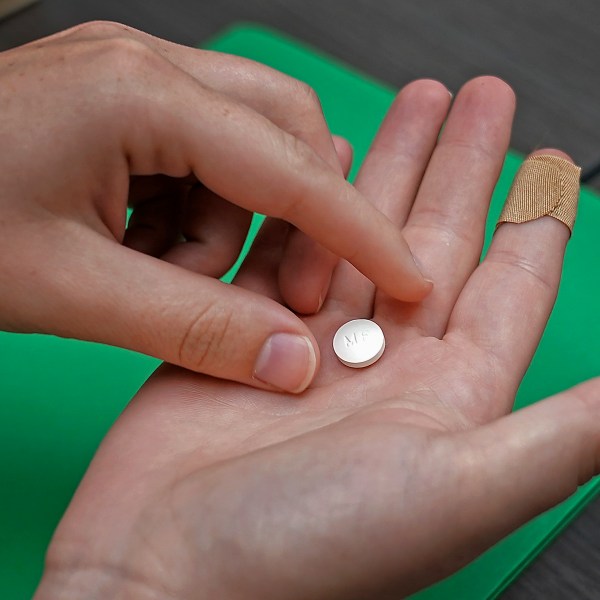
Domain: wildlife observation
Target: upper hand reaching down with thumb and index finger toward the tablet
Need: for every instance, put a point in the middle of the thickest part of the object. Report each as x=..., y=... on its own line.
x=100, y=115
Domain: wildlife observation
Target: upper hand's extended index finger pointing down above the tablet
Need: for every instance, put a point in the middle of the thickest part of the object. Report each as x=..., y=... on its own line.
x=247, y=159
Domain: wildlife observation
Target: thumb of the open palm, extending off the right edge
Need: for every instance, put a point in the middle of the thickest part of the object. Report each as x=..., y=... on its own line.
x=529, y=461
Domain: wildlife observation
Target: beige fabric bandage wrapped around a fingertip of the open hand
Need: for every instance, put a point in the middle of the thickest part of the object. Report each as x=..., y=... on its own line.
x=545, y=185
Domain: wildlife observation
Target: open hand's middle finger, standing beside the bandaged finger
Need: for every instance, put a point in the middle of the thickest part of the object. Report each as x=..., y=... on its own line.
x=445, y=228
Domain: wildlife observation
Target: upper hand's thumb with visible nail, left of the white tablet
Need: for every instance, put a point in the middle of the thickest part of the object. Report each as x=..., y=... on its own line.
x=111, y=294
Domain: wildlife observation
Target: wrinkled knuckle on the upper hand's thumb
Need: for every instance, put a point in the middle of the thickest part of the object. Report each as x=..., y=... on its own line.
x=205, y=337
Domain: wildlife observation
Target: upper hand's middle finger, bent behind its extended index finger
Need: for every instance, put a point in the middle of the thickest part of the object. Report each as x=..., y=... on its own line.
x=305, y=267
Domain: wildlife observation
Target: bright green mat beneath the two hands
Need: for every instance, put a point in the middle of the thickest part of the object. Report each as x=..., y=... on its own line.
x=58, y=397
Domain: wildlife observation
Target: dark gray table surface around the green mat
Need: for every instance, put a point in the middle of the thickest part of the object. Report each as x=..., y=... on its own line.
x=546, y=49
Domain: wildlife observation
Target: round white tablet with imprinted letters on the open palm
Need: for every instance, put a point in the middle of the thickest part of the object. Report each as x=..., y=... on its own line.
x=359, y=343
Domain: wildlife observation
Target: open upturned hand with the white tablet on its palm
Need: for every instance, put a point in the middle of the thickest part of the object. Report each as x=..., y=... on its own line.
x=375, y=482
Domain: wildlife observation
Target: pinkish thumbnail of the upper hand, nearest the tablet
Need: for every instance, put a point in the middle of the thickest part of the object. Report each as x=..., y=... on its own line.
x=286, y=361
